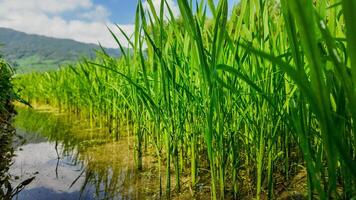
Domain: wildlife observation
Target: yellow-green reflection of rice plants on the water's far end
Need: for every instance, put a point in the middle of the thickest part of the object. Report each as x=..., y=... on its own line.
x=57, y=129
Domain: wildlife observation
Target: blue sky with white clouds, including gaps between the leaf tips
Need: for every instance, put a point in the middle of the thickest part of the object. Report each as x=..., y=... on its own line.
x=80, y=20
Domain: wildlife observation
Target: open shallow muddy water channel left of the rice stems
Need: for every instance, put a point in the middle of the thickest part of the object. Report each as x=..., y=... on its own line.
x=71, y=161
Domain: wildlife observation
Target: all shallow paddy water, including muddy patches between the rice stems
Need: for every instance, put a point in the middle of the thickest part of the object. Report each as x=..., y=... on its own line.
x=75, y=161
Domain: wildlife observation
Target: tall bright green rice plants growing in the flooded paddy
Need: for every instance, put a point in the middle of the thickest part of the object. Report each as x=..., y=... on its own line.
x=256, y=97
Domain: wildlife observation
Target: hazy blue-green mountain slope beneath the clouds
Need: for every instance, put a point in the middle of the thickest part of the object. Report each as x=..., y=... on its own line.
x=27, y=52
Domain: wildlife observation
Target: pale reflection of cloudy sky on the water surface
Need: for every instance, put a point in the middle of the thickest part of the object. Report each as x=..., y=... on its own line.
x=53, y=175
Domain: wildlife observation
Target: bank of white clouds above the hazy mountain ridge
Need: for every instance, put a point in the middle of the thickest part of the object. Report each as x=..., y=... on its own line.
x=45, y=17
